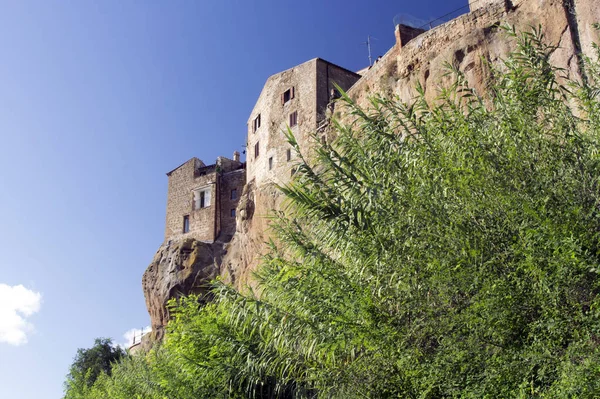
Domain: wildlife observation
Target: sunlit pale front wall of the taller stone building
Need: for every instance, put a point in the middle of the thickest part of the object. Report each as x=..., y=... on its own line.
x=275, y=119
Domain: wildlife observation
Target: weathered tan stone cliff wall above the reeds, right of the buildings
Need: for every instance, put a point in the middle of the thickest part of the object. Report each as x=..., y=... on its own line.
x=473, y=41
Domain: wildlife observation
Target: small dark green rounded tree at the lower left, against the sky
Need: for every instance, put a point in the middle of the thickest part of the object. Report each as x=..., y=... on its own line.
x=89, y=364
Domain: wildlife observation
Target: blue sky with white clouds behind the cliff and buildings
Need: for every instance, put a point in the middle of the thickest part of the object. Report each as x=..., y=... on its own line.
x=98, y=99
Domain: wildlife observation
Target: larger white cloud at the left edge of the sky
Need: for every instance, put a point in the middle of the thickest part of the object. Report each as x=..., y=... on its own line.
x=17, y=303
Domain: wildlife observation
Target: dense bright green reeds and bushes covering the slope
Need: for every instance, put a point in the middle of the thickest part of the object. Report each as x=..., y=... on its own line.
x=447, y=250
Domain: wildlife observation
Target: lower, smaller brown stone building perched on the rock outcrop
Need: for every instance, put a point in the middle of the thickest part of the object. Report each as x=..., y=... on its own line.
x=202, y=199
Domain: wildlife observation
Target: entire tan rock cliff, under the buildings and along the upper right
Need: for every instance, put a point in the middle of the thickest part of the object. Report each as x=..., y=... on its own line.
x=471, y=42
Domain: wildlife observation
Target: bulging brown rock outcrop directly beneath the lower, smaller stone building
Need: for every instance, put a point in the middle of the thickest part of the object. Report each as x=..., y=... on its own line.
x=179, y=268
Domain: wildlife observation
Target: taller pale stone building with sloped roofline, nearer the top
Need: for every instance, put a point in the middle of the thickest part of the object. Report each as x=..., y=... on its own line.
x=296, y=98
